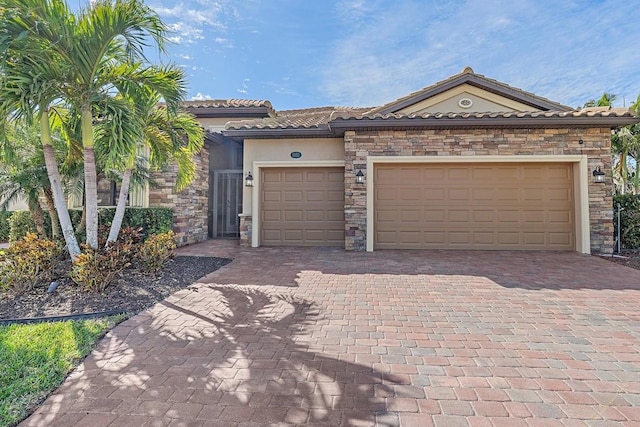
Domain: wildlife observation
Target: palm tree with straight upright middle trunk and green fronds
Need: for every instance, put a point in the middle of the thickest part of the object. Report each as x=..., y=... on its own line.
x=93, y=50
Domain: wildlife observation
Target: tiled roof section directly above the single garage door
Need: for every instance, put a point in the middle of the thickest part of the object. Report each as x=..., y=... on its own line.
x=307, y=118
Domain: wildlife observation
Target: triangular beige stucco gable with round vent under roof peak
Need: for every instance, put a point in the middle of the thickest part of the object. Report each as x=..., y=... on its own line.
x=483, y=101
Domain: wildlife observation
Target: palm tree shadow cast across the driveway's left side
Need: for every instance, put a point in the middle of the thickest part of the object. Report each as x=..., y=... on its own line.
x=230, y=353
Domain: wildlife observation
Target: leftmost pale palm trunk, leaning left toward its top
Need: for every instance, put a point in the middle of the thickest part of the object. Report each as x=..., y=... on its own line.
x=56, y=187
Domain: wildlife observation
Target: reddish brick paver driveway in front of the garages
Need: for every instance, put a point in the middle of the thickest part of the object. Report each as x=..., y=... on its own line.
x=416, y=338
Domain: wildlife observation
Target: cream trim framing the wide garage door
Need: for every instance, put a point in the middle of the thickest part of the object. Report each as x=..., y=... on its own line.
x=581, y=185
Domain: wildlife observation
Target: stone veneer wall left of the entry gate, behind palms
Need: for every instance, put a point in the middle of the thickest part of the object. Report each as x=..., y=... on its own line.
x=190, y=206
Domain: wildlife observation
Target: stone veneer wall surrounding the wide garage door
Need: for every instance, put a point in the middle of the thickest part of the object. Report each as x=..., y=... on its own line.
x=479, y=142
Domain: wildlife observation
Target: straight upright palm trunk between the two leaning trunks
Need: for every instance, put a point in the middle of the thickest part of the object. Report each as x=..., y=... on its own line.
x=90, y=178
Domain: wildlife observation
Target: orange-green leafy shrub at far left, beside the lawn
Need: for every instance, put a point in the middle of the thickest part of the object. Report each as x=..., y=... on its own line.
x=27, y=262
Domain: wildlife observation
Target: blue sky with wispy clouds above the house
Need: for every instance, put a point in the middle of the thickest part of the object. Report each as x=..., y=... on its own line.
x=311, y=53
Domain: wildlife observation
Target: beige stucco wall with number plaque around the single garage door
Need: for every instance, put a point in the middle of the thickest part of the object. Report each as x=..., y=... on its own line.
x=278, y=152
